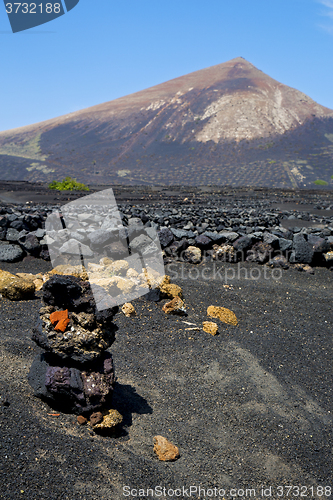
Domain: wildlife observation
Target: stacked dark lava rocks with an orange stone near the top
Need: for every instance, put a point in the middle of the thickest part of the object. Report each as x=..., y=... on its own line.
x=75, y=373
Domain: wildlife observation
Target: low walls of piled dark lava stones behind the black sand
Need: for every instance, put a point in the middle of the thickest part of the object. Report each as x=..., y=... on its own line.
x=232, y=232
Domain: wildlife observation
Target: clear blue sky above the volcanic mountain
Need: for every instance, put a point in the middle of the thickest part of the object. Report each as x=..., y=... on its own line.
x=103, y=49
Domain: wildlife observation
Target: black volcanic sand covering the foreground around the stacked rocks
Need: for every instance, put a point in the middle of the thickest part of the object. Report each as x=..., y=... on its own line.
x=249, y=407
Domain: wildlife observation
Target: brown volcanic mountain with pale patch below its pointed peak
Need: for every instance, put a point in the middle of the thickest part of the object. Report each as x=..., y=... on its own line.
x=229, y=124
